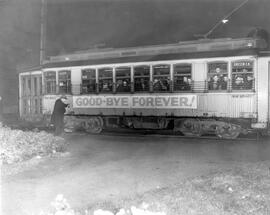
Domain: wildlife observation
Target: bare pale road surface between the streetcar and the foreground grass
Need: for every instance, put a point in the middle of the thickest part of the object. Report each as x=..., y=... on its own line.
x=105, y=168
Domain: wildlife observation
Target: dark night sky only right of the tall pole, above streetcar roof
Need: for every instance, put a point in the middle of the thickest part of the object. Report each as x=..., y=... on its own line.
x=145, y=22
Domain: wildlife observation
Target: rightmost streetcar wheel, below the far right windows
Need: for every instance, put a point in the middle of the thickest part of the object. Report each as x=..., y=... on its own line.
x=228, y=131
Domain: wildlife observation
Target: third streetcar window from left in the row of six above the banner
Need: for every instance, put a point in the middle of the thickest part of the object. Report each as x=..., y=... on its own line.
x=122, y=75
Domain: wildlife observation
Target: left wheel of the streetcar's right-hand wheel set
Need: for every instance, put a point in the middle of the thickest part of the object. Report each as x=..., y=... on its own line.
x=191, y=128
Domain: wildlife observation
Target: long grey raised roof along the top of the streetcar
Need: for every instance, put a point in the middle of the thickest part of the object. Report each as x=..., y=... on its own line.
x=197, y=46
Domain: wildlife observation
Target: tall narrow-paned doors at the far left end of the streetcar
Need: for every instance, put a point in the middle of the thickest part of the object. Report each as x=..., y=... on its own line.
x=31, y=97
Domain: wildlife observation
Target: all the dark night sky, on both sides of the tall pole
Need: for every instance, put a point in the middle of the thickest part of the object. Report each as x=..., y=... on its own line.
x=80, y=24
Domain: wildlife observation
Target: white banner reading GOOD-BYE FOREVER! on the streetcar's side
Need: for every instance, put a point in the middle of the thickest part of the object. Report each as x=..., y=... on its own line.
x=133, y=101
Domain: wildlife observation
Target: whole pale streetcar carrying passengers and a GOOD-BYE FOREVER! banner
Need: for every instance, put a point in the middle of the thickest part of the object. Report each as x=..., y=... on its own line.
x=193, y=88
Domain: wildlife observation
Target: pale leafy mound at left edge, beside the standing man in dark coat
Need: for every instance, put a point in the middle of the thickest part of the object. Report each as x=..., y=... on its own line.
x=18, y=145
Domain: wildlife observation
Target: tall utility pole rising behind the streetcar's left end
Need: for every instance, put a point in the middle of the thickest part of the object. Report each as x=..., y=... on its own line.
x=43, y=23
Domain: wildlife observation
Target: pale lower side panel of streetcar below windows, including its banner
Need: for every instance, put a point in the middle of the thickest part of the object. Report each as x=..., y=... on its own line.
x=237, y=105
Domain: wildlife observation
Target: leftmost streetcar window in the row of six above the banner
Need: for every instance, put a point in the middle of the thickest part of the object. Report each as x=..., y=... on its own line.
x=88, y=81
